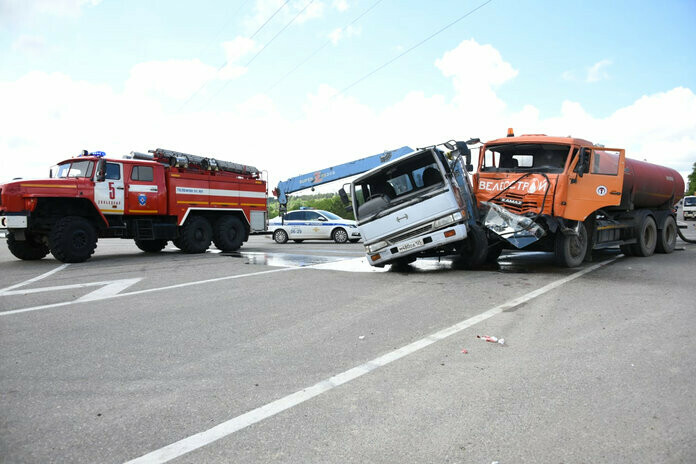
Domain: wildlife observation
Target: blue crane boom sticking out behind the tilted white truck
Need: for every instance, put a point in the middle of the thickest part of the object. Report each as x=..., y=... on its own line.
x=330, y=174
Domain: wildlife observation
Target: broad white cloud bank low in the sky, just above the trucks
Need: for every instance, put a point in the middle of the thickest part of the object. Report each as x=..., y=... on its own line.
x=73, y=115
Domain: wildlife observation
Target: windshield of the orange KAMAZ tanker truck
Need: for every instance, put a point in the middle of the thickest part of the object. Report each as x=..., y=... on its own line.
x=525, y=157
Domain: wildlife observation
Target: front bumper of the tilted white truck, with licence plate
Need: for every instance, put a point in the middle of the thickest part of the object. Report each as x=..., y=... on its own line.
x=418, y=245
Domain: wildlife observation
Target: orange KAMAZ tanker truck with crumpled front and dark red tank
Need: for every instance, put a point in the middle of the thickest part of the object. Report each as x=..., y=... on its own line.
x=569, y=196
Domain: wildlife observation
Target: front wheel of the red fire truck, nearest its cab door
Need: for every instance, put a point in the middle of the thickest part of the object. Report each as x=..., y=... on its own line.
x=73, y=239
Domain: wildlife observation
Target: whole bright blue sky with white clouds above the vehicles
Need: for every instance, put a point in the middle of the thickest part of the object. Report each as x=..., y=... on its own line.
x=294, y=86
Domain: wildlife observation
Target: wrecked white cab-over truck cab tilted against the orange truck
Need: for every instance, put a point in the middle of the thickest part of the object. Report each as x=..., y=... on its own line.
x=419, y=205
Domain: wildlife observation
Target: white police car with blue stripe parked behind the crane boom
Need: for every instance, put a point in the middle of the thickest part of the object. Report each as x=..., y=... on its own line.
x=313, y=224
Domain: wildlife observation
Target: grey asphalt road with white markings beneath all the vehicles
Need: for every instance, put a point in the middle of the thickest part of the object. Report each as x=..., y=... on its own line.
x=302, y=353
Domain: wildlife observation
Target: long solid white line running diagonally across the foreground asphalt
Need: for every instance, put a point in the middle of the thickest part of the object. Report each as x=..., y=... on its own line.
x=233, y=425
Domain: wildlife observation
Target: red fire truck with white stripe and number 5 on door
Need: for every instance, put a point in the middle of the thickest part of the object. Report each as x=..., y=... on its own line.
x=150, y=197
